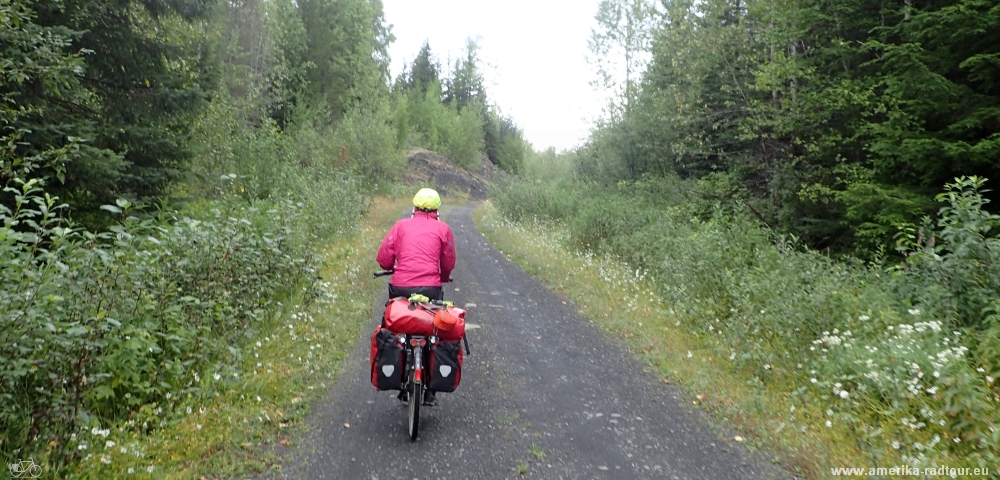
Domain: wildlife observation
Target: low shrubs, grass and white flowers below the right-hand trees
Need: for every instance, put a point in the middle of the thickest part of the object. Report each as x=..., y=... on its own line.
x=878, y=349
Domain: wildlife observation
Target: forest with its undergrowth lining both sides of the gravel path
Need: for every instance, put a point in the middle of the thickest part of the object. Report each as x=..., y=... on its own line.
x=807, y=182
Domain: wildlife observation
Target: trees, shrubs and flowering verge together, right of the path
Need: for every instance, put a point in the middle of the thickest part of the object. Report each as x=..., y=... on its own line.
x=808, y=184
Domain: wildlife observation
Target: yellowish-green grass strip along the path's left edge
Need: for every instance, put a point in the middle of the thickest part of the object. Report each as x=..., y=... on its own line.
x=287, y=366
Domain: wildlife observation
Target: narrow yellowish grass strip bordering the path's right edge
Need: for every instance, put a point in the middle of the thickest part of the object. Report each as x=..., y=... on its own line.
x=623, y=301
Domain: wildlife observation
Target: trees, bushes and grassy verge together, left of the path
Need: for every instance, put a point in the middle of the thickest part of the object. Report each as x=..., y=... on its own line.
x=172, y=170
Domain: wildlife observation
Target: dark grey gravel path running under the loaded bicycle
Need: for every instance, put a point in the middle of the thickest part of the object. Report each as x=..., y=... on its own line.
x=544, y=394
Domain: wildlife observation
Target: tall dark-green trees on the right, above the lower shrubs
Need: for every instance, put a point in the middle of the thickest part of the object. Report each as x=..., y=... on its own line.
x=838, y=122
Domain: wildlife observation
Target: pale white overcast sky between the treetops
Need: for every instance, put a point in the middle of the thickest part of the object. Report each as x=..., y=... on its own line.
x=533, y=54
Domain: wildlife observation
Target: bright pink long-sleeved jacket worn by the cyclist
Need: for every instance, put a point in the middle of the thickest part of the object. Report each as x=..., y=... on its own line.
x=421, y=249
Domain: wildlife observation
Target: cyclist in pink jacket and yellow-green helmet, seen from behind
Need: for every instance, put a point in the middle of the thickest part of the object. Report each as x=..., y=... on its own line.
x=421, y=251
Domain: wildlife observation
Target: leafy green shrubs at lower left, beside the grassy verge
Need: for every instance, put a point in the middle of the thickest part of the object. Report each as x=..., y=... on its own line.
x=125, y=324
